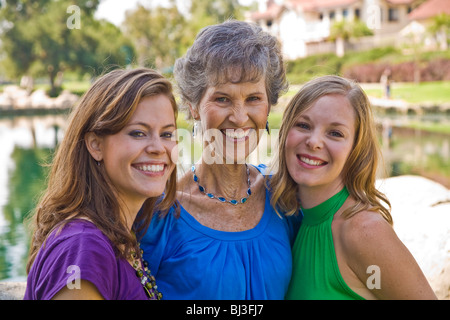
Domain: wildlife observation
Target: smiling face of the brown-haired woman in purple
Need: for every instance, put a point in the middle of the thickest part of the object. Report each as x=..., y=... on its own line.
x=137, y=159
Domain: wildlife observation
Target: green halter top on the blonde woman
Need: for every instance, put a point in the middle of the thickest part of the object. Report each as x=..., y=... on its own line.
x=315, y=272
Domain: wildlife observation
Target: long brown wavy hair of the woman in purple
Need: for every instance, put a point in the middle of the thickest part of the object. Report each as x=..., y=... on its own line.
x=77, y=186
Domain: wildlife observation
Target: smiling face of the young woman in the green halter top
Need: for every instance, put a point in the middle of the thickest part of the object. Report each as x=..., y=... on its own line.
x=318, y=145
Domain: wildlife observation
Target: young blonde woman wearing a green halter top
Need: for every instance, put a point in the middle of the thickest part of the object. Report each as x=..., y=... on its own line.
x=346, y=247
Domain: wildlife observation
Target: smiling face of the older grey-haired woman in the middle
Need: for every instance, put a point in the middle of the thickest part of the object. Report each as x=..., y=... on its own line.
x=234, y=113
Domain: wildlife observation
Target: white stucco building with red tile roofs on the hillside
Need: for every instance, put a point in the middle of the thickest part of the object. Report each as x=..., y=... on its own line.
x=303, y=26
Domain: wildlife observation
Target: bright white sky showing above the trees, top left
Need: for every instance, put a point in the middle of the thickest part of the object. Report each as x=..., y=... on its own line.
x=114, y=10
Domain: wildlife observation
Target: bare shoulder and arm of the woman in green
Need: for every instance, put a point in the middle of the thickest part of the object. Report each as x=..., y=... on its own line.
x=372, y=242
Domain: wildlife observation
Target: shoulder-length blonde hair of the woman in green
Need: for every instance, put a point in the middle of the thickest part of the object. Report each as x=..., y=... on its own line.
x=359, y=172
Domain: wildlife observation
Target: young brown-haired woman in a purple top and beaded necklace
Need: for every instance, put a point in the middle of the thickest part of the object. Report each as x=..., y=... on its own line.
x=115, y=158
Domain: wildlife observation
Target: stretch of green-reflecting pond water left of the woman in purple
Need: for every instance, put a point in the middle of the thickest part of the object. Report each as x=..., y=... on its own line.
x=27, y=144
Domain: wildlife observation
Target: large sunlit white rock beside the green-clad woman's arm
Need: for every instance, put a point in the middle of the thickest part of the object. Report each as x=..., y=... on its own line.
x=421, y=214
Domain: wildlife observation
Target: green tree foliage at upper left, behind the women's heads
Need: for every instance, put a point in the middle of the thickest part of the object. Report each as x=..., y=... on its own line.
x=36, y=38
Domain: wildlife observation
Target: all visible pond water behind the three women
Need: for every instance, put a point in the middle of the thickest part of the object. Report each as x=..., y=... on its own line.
x=27, y=143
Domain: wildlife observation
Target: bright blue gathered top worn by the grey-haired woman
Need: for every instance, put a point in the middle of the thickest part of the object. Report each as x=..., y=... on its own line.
x=192, y=261
